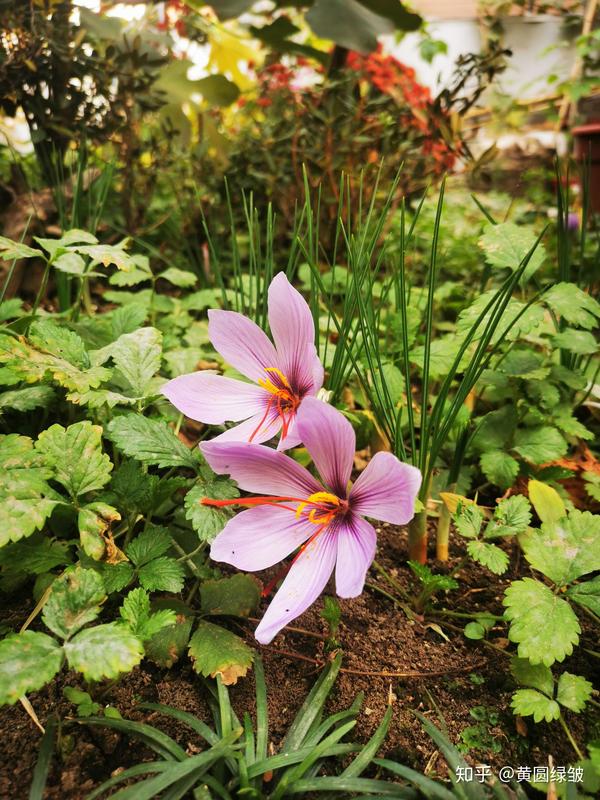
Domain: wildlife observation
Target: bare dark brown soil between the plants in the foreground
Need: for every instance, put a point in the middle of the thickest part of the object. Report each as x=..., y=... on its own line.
x=445, y=671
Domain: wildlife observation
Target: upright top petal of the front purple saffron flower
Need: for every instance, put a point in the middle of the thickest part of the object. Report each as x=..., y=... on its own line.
x=330, y=440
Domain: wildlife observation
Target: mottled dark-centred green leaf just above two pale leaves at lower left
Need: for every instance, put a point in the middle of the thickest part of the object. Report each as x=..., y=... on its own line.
x=75, y=600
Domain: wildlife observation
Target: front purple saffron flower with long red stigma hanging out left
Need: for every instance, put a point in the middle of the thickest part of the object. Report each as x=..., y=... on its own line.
x=324, y=520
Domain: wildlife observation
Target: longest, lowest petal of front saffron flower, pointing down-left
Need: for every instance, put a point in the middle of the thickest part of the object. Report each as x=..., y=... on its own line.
x=304, y=583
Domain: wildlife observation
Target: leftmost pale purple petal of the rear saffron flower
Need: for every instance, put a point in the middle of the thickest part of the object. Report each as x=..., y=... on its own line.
x=214, y=399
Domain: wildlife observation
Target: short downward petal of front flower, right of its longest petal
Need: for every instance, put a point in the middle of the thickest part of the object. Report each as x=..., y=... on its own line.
x=356, y=544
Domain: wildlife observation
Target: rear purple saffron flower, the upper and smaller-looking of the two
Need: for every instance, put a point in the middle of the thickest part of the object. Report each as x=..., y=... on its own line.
x=282, y=374
